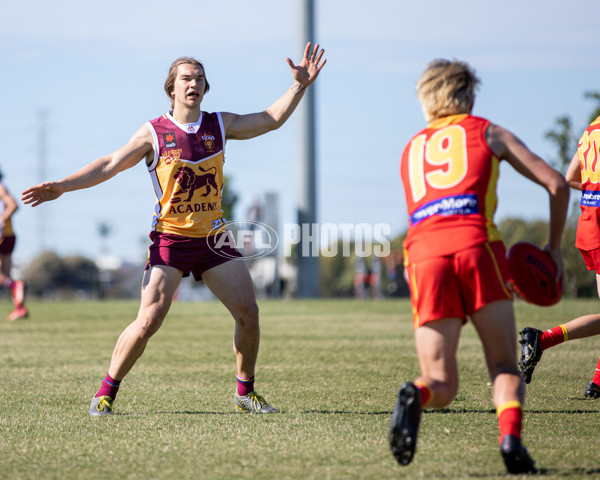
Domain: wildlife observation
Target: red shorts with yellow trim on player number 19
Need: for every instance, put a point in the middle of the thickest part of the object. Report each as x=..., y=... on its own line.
x=458, y=285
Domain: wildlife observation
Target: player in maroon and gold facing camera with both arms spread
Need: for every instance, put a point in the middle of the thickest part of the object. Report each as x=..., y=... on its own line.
x=184, y=153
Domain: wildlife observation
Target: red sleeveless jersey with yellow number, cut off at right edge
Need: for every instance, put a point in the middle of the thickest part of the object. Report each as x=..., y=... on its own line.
x=588, y=226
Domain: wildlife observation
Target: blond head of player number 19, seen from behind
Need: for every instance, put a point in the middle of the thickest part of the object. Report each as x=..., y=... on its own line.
x=447, y=88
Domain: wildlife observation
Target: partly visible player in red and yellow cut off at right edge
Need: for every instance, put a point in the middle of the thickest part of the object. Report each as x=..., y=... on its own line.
x=583, y=174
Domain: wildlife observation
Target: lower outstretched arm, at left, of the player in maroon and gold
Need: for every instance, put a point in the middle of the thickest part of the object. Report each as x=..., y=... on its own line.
x=100, y=170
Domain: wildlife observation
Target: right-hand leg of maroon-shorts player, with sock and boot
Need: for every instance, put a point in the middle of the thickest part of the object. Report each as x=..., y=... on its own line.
x=232, y=285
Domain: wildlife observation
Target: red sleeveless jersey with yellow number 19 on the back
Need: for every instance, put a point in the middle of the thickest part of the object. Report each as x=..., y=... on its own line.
x=449, y=175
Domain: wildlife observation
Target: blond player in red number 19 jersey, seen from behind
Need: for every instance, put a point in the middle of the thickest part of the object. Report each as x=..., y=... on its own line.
x=449, y=171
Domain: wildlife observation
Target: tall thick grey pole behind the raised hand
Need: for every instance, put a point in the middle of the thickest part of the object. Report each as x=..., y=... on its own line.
x=308, y=248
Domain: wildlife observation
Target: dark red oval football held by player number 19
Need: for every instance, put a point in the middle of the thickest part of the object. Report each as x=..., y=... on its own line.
x=533, y=274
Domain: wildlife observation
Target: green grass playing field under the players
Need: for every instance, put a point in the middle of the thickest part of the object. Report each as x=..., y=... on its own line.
x=331, y=367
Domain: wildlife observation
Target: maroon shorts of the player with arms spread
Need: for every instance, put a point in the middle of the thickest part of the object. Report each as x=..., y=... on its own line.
x=195, y=255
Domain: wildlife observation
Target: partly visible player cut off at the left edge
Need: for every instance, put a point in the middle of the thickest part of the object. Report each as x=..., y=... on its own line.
x=8, y=206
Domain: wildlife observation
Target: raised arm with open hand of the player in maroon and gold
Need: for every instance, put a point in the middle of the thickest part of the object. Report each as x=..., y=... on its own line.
x=240, y=127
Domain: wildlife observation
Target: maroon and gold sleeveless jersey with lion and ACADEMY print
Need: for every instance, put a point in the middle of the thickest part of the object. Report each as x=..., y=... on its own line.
x=187, y=175
